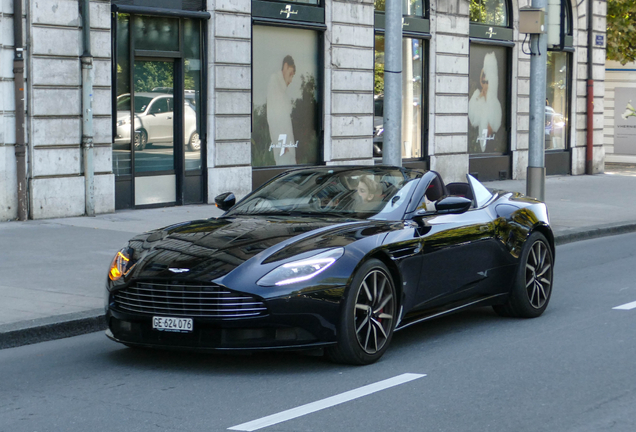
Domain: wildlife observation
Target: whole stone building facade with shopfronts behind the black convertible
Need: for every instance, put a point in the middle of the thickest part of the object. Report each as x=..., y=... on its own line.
x=193, y=98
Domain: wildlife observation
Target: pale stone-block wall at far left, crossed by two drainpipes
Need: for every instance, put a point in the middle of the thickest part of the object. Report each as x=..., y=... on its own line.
x=54, y=108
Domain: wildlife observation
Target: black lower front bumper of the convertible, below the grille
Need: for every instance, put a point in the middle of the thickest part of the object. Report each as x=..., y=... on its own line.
x=292, y=322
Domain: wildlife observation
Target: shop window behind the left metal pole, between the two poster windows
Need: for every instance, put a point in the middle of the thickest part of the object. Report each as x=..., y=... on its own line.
x=415, y=30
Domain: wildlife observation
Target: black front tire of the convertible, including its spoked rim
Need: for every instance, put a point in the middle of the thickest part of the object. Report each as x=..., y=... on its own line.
x=368, y=316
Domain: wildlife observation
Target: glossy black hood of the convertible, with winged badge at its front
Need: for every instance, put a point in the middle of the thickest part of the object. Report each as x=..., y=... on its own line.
x=205, y=250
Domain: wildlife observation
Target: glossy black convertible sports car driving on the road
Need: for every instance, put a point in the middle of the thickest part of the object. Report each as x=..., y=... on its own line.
x=332, y=257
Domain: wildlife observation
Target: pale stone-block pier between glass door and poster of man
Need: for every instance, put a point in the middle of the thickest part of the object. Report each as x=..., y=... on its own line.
x=229, y=98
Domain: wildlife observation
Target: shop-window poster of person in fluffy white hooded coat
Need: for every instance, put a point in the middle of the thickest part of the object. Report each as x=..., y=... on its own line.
x=486, y=114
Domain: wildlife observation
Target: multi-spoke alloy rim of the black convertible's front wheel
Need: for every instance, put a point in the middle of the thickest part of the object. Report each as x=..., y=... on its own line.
x=374, y=311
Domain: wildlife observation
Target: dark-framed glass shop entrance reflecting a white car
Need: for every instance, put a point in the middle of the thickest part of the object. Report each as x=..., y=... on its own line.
x=158, y=151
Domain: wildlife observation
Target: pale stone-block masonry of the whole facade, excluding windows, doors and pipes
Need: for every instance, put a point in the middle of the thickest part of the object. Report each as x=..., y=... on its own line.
x=53, y=97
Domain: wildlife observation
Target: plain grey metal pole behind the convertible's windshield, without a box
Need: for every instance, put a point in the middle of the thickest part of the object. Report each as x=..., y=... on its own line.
x=392, y=146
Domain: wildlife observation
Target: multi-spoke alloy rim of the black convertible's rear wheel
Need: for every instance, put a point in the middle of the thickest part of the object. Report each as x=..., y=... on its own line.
x=538, y=274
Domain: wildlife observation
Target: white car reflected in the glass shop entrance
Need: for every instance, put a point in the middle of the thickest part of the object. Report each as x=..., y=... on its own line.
x=154, y=113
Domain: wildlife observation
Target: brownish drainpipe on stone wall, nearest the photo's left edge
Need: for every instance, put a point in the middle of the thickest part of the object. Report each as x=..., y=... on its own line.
x=20, y=142
